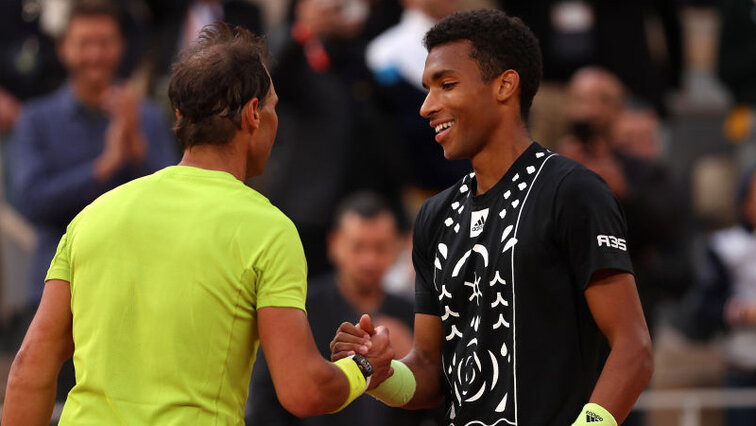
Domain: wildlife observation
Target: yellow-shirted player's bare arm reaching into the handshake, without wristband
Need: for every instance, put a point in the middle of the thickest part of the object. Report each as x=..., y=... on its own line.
x=307, y=384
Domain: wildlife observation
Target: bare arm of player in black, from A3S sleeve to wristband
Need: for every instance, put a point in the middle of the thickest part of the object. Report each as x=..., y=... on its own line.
x=615, y=306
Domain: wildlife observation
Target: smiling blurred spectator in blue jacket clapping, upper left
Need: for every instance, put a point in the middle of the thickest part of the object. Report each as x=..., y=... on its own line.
x=84, y=139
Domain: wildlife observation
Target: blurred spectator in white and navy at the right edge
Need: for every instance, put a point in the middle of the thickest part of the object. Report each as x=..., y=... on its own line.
x=725, y=297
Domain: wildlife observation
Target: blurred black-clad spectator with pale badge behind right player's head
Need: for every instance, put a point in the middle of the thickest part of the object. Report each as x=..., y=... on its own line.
x=638, y=40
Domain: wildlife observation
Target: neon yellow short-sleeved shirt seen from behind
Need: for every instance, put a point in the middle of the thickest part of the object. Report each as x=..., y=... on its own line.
x=167, y=274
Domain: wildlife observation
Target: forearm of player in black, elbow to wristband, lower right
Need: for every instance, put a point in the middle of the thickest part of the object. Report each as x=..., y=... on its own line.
x=626, y=373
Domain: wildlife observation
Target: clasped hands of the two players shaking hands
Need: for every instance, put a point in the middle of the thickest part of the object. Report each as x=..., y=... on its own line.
x=372, y=342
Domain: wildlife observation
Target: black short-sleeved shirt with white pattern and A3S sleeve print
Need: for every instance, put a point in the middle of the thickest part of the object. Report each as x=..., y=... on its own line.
x=506, y=271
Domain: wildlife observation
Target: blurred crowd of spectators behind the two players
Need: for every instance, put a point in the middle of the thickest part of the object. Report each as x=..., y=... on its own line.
x=83, y=108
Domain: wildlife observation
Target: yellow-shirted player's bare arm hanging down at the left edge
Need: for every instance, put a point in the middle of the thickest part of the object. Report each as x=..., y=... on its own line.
x=30, y=394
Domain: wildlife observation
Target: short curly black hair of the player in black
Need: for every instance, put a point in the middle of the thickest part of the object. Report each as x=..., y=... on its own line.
x=499, y=42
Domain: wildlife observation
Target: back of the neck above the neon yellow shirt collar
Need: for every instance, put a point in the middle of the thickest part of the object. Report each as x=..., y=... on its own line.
x=230, y=157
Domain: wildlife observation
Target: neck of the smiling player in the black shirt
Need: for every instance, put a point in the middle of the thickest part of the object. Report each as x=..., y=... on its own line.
x=508, y=140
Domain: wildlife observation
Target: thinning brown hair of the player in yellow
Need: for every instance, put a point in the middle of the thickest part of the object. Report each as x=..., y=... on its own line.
x=212, y=82
